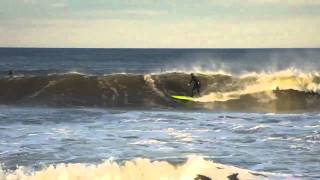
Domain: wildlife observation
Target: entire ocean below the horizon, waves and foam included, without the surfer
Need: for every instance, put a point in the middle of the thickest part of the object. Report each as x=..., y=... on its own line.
x=108, y=114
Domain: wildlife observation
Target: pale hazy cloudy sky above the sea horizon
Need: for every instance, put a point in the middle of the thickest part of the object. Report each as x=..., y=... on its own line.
x=160, y=23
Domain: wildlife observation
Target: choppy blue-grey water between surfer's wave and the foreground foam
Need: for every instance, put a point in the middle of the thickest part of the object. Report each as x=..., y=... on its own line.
x=277, y=143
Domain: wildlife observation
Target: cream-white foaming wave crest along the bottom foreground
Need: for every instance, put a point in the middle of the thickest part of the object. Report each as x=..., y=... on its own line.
x=194, y=168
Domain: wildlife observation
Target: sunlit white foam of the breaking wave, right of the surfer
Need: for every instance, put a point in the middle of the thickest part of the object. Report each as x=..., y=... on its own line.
x=263, y=84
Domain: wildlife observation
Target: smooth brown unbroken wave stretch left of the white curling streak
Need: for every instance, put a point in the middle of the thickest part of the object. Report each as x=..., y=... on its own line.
x=77, y=90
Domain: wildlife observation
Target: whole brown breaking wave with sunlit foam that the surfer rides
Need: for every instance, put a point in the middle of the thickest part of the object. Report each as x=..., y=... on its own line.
x=280, y=91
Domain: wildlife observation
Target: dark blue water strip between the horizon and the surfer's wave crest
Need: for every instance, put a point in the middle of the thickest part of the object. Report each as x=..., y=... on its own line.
x=105, y=61
